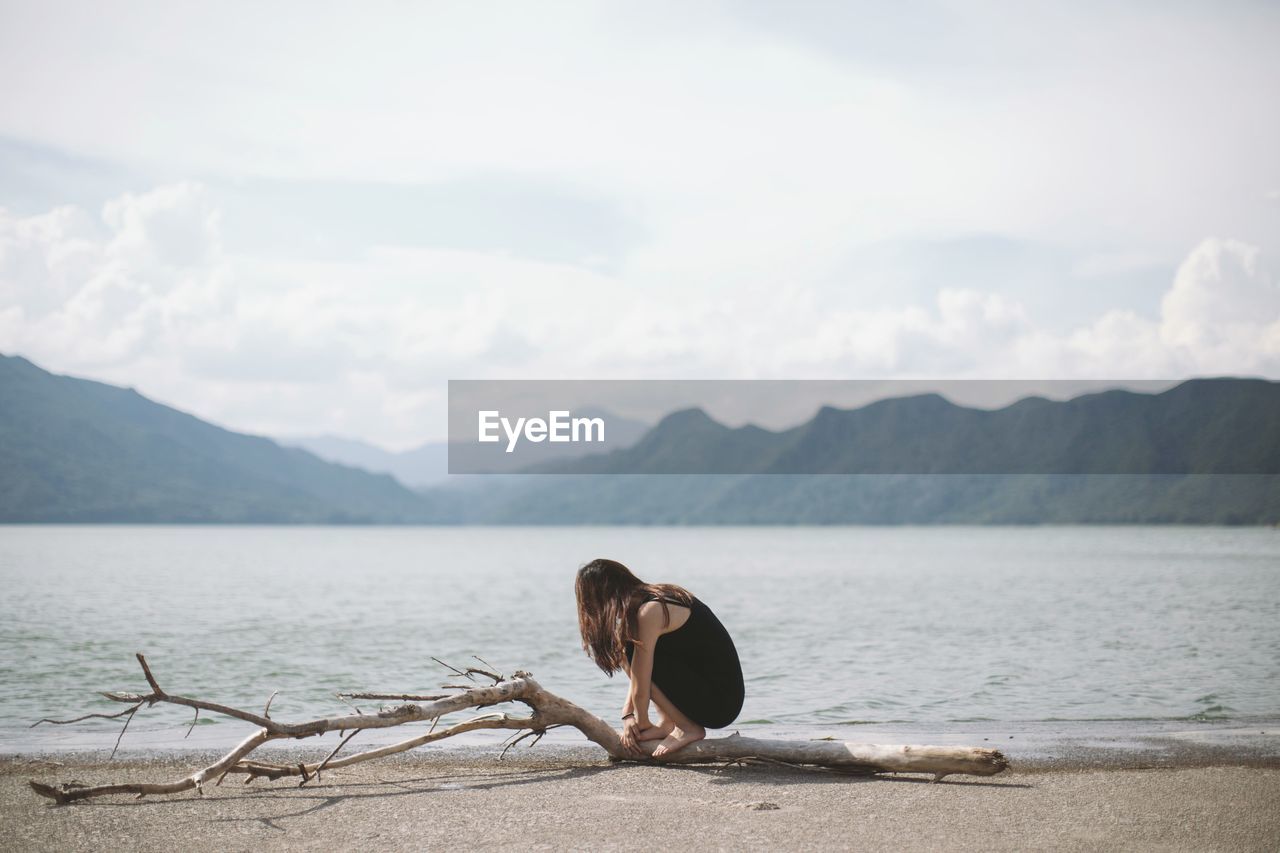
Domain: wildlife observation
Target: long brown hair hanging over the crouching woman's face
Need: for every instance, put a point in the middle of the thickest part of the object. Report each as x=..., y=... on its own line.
x=609, y=600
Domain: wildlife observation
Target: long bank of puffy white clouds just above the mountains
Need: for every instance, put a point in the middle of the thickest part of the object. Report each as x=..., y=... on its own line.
x=148, y=295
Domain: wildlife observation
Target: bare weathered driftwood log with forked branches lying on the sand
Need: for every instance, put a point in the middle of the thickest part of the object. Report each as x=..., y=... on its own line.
x=546, y=711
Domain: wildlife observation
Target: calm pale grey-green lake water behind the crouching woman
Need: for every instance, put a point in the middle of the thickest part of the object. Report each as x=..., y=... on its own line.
x=836, y=627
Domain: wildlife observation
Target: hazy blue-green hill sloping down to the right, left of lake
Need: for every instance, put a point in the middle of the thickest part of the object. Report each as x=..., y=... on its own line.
x=74, y=450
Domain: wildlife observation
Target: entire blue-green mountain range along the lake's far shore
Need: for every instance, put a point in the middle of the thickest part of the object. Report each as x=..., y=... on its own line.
x=1203, y=453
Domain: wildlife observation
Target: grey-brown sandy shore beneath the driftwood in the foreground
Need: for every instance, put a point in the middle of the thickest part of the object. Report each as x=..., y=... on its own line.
x=572, y=800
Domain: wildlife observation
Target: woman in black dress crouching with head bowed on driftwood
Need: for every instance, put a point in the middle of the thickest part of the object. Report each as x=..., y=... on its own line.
x=671, y=645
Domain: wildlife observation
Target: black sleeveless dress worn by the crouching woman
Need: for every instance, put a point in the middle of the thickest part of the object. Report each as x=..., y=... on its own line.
x=697, y=668
